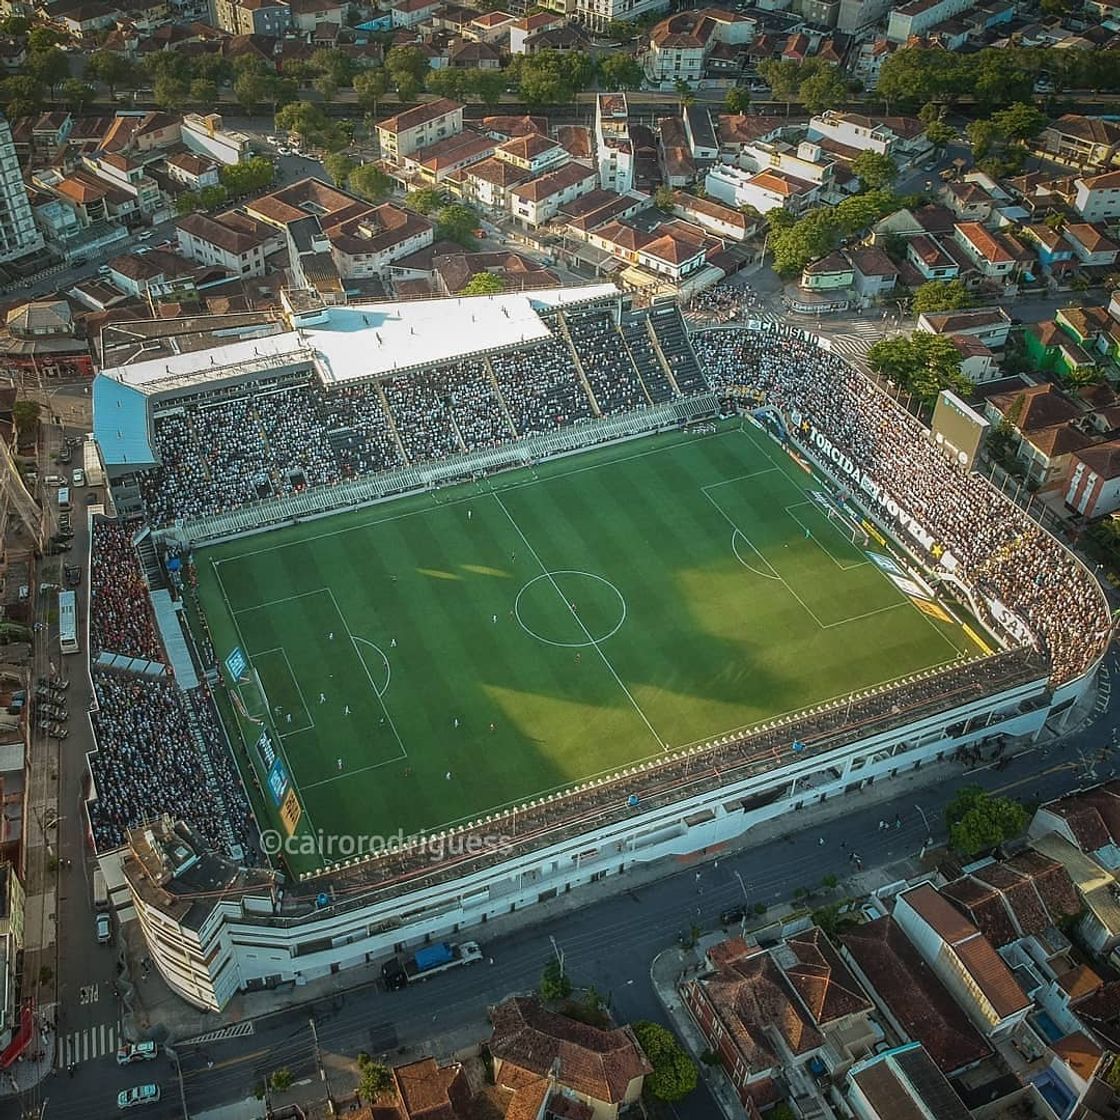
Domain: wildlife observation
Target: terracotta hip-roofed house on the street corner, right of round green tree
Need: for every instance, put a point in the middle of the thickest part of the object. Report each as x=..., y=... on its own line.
x=772, y=1013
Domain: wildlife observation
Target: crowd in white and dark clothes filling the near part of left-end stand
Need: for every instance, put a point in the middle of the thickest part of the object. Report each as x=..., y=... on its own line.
x=148, y=762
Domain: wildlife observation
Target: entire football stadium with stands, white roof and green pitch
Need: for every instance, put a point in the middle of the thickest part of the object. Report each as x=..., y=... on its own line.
x=441, y=609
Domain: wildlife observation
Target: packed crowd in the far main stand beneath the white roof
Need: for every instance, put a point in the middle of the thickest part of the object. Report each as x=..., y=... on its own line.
x=279, y=436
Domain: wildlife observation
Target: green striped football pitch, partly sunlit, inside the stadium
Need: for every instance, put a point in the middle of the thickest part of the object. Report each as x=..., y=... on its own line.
x=432, y=660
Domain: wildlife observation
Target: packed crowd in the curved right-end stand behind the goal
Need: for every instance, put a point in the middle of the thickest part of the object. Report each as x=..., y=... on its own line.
x=996, y=547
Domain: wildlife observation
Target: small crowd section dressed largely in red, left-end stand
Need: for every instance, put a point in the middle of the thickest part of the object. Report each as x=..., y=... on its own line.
x=120, y=621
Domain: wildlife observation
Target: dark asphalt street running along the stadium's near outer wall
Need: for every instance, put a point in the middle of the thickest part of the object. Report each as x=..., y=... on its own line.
x=609, y=944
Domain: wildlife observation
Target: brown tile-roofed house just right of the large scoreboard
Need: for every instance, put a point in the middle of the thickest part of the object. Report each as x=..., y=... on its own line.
x=1040, y=417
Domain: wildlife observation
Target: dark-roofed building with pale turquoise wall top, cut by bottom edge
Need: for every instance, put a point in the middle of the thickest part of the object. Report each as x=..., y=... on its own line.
x=902, y=1082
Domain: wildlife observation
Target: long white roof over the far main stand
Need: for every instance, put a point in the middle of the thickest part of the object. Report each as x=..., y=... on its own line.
x=359, y=341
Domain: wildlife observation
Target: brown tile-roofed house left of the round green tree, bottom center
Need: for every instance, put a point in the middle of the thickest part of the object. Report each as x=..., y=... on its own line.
x=534, y=1049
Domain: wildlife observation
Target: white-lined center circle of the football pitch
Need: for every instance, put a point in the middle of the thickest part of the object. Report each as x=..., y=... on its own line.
x=572, y=610
